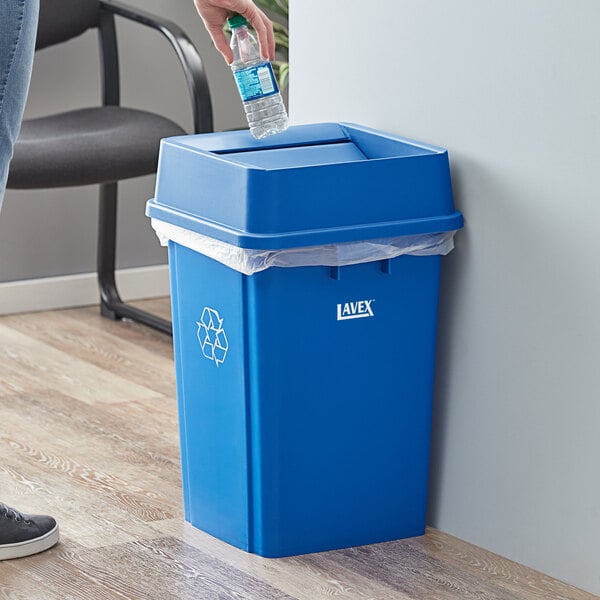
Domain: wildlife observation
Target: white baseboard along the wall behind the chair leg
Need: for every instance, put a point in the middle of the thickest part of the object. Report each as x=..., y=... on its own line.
x=68, y=291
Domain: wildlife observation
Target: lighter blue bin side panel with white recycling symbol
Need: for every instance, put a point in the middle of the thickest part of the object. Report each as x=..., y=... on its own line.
x=209, y=342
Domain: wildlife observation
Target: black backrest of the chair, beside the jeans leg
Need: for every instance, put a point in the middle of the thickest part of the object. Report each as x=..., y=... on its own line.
x=61, y=20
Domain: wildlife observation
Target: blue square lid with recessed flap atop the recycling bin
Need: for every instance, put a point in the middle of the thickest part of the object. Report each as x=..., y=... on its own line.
x=312, y=184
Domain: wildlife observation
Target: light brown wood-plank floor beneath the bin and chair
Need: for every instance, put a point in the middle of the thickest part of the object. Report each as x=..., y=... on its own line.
x=88, y=433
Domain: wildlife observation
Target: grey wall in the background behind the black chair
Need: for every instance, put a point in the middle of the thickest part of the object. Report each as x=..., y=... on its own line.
x=53, y=232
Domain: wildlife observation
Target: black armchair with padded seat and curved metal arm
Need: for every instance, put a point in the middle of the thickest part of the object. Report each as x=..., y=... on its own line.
x=107, y=143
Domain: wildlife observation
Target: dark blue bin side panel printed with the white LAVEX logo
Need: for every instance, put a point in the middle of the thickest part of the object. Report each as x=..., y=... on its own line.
x=341, y=403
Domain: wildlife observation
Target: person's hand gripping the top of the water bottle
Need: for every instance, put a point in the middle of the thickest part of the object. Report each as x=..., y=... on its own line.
x=214, y=13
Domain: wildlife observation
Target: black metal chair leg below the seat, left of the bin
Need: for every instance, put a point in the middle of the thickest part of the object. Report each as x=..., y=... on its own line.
x=111, y=305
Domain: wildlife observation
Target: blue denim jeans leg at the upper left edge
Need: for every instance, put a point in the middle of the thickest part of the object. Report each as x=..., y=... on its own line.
x=18, y=27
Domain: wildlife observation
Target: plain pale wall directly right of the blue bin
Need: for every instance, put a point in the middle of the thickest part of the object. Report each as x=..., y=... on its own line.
x=512, y=90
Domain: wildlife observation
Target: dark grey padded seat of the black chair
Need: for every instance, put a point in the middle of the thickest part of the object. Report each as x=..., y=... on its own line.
x=88, y=146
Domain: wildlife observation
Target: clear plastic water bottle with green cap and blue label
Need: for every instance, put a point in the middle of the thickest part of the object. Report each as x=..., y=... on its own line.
x=256, y=83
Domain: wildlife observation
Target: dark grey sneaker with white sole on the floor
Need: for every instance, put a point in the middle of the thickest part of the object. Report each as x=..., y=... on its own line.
x=22, y=535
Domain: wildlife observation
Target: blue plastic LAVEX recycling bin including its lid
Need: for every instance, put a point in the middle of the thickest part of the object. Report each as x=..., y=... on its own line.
x=304, y=392
